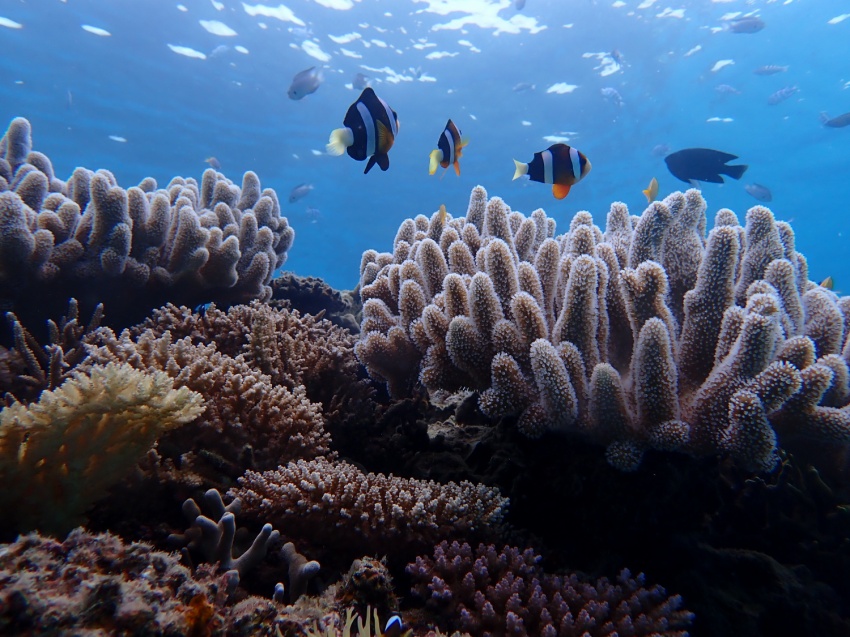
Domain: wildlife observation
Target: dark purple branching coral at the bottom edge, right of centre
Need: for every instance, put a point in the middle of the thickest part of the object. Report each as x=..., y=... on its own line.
x=506, y=592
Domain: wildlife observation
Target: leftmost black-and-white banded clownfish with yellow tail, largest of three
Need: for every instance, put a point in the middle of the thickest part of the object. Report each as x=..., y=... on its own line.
x=370, y=130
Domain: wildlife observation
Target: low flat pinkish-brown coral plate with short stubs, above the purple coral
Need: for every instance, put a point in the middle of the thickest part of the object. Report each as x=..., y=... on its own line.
x=337, y=504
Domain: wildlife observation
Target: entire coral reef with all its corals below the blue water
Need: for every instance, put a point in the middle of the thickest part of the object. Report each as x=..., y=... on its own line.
x=517, y=405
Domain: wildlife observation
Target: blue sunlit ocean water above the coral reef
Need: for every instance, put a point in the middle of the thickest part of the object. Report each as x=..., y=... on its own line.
x=135, y=87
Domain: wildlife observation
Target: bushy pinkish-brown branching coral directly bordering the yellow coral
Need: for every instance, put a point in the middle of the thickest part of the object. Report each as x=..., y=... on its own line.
x=249, y=422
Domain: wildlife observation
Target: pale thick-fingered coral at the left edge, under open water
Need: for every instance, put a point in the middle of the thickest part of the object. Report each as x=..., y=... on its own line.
x=190, y=242
